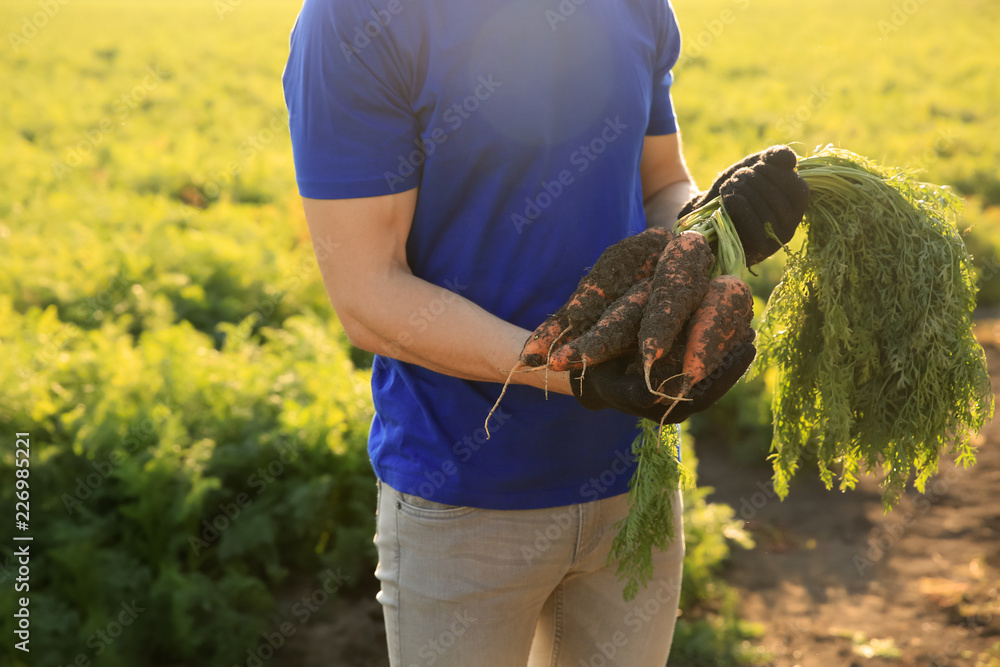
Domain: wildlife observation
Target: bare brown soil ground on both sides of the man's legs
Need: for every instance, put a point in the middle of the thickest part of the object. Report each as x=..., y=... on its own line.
x=833, y=580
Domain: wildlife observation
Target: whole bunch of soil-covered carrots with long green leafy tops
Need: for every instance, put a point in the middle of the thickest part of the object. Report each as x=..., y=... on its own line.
x=869, y=333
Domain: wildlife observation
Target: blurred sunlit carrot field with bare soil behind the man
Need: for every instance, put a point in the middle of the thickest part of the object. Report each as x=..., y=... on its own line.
x=198, y=419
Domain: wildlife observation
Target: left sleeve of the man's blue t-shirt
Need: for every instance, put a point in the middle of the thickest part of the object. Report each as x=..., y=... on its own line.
x=349, y=117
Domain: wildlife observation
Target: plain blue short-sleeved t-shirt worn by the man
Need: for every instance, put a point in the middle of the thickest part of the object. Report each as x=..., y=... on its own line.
x=522, y=123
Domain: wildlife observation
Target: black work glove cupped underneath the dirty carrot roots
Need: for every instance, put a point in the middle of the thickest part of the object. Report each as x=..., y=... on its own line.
x=609, y=385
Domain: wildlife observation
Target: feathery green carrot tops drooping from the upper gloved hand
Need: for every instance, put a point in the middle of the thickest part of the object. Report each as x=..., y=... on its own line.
x=871, y=331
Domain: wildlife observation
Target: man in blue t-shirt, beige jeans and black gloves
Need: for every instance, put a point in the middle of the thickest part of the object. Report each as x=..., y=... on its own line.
x=468, y=161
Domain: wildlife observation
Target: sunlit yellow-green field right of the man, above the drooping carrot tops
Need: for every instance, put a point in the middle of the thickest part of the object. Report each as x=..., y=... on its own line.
x=879, y=77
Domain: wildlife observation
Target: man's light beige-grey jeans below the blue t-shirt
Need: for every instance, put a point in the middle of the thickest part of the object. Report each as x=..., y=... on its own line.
x=467, y=587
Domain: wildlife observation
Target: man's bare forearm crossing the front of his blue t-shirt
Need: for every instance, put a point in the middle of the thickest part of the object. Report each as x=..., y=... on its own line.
x=407, y=318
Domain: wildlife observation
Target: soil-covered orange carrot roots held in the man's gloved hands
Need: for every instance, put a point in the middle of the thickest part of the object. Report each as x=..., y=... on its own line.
x=652, y=296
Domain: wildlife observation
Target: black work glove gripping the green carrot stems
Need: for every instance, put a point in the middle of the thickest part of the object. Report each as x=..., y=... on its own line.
x=760, y=188
